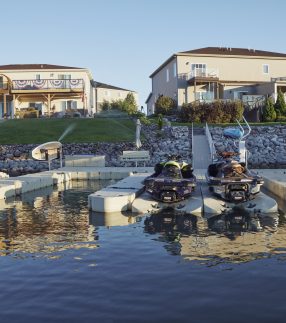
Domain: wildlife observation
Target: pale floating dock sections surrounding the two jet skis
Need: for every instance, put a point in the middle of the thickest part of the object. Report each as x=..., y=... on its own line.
x=127, y=193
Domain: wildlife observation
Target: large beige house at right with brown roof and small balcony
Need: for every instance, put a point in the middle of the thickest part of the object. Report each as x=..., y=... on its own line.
x=219, y=73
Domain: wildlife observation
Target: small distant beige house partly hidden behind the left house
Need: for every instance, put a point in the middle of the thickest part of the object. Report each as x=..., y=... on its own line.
x=108, y=93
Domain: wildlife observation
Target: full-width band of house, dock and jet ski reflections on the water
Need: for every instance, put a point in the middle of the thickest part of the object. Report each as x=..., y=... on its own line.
x=51, y=221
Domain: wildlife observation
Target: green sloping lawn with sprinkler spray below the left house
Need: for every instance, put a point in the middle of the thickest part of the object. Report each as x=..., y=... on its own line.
x=35, y=131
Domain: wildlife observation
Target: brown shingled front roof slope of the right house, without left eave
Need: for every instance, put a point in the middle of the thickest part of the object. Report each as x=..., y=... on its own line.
x=233, y=51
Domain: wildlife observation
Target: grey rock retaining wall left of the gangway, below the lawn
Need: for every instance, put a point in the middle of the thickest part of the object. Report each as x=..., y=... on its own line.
x=16, y=160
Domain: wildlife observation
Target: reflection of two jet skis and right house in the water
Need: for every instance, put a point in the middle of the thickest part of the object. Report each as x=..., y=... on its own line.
x=233, y=238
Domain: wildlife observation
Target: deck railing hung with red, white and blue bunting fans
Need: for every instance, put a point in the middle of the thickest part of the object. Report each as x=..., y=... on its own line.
x=47, y=84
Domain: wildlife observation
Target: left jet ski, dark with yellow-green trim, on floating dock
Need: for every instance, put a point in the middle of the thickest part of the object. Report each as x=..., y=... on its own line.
x=172, y=181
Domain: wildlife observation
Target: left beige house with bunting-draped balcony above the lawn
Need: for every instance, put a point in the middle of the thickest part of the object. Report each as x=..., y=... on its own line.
x=46, y=89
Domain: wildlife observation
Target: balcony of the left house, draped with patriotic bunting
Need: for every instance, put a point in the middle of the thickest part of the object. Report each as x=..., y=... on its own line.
x=47, y=85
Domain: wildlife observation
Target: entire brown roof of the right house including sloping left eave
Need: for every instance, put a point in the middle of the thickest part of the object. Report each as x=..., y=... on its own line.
x=222, y=51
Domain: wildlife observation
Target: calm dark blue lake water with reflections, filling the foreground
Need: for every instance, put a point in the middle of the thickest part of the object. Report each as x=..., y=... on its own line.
x=61, y=263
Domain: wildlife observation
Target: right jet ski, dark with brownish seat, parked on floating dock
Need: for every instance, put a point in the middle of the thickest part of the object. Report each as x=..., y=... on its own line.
x=231, y=180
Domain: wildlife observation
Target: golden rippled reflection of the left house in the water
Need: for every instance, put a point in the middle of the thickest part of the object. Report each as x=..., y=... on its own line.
x=48, y=220
